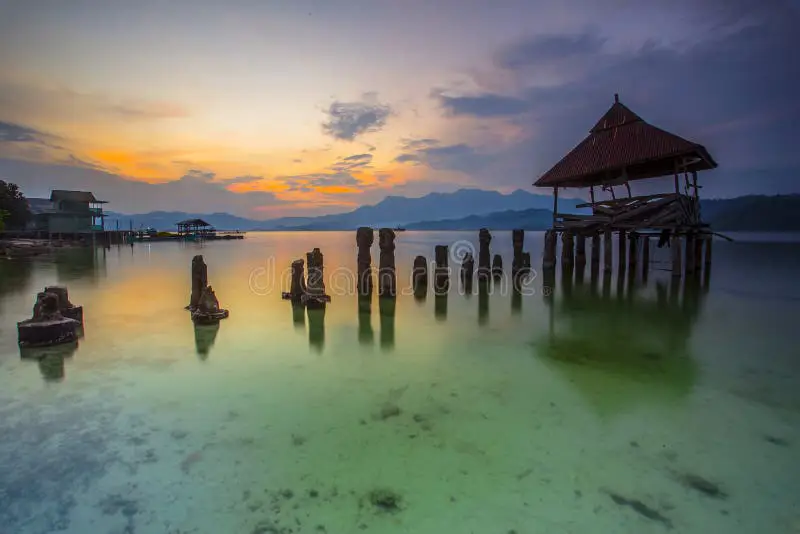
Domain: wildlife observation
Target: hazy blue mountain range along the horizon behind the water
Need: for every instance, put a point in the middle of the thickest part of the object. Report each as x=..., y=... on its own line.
x=471, y=209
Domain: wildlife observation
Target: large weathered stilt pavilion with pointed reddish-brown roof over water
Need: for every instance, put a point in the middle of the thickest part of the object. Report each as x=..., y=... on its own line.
x=621, y=148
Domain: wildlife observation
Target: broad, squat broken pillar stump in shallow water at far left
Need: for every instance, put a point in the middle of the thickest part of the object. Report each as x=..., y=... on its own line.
x=47, y=326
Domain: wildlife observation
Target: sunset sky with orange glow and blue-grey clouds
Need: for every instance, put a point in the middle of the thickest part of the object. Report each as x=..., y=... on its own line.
x=305, y=107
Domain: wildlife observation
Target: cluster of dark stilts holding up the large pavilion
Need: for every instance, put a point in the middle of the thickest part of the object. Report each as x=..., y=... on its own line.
x=690, y=251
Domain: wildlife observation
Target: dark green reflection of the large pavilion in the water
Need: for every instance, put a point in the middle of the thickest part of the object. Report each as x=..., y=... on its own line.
x=621, y=344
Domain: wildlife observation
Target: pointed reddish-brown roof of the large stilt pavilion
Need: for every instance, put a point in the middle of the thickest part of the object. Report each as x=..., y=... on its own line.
x=622, y=142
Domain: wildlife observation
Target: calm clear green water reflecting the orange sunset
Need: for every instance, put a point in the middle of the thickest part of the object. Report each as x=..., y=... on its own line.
x=582, y=410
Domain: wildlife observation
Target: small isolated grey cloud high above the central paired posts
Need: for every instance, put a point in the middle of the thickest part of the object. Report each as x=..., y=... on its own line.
x=348, y=120
